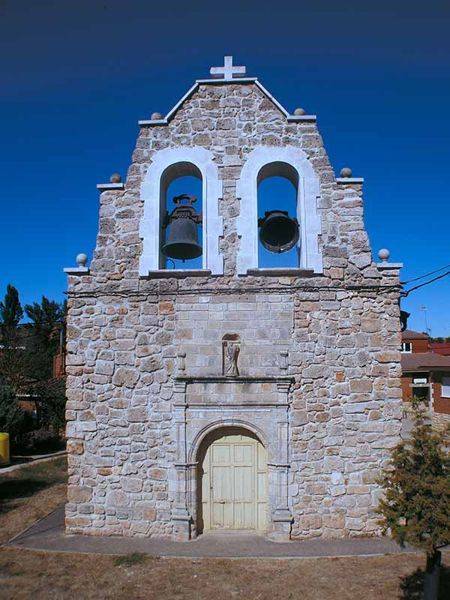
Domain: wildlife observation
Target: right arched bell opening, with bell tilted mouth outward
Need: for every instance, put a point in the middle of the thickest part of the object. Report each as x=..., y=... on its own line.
x=278, y=226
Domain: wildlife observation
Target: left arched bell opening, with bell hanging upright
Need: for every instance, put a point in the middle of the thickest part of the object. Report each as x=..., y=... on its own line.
x=181, y=232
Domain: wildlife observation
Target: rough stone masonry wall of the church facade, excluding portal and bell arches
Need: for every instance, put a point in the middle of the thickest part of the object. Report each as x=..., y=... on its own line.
x=341, y=330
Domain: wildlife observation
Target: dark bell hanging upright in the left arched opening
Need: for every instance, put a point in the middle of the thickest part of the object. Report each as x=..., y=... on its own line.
x=182, y=239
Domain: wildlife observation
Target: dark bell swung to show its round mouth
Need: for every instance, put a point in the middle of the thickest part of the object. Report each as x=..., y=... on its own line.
x=278, y=231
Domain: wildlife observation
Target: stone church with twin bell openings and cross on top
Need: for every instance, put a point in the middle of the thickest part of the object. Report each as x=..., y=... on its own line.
x=232, y=359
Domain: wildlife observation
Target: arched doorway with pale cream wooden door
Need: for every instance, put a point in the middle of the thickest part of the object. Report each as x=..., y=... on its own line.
x=232, y=482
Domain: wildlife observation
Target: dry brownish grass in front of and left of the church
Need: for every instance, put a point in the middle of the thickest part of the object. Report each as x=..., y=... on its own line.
x=30, y=493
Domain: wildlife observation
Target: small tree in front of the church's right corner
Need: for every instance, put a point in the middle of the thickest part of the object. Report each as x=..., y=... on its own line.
x=416, y=506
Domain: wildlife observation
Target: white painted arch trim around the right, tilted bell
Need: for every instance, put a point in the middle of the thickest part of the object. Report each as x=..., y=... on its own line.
x=307, y=212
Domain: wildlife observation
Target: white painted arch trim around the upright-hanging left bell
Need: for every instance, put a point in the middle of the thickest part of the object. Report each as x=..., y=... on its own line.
x=150, y=225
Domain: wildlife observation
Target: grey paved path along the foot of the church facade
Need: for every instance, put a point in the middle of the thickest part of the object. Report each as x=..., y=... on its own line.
x=47, y=534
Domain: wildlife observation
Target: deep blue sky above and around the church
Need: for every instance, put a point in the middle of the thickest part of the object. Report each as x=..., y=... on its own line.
x=77, y=76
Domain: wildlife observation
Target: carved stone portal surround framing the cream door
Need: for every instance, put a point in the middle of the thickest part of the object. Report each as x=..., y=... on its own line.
x=200, y=412
